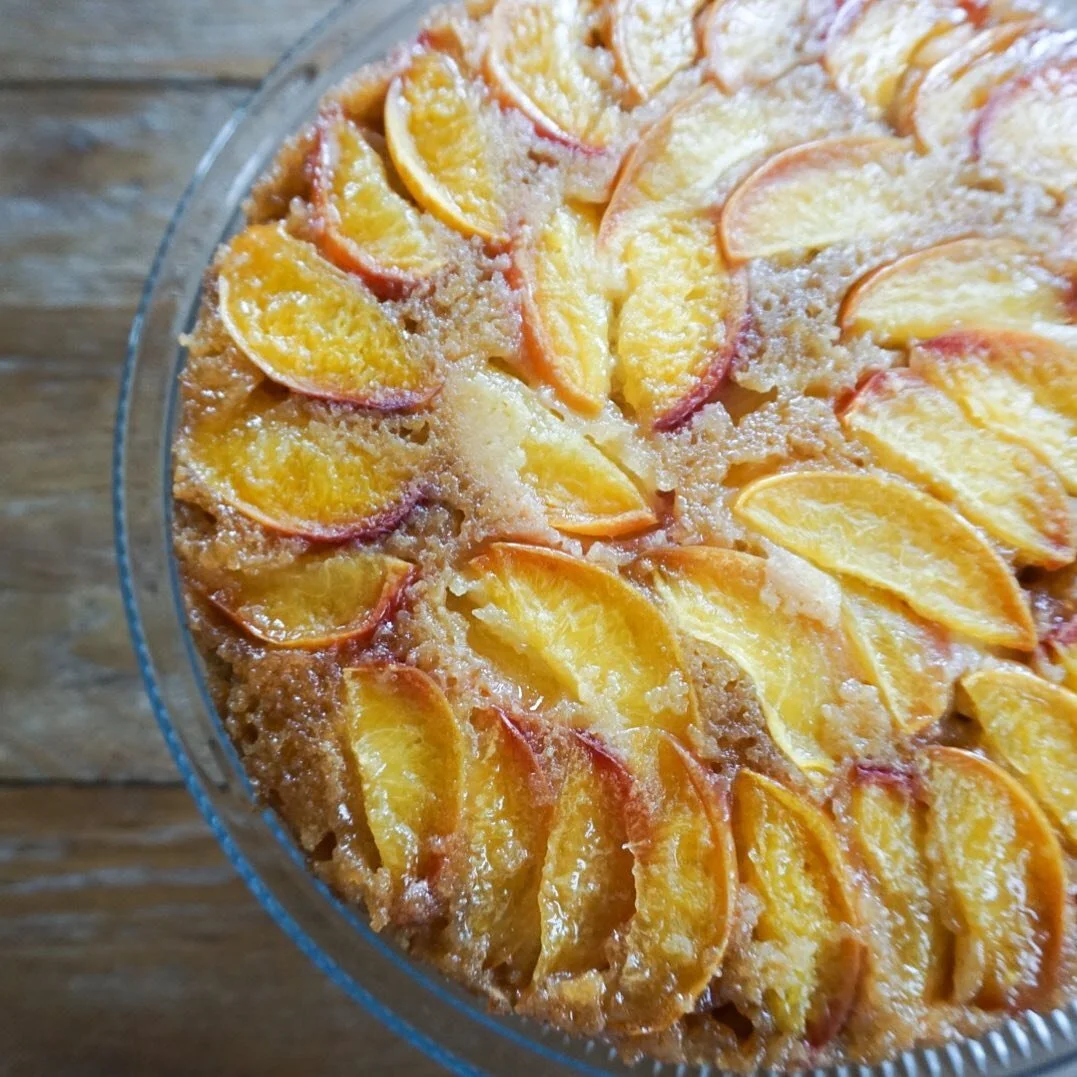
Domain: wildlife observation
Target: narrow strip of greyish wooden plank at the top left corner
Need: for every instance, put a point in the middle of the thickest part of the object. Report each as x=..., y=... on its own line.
x=136, y=39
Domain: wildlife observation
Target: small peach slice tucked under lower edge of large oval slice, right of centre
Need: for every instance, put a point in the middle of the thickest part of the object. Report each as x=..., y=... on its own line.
x=908, y=659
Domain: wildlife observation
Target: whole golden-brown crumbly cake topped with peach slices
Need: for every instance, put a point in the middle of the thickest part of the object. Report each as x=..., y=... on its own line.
x=623, y=495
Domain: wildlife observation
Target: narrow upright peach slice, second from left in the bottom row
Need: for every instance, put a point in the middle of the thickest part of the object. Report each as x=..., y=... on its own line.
x=509, y=805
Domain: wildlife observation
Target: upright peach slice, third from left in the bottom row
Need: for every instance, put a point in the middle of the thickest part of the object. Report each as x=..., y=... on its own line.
x=588, y=891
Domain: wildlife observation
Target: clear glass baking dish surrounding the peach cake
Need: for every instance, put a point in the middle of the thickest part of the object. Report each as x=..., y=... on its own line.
x=432, y=1014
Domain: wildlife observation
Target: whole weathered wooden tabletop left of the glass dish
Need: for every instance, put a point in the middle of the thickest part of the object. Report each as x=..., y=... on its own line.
x=128, y=945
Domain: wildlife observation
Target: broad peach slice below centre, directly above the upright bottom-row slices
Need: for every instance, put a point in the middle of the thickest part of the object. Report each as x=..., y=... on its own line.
x=602, y=638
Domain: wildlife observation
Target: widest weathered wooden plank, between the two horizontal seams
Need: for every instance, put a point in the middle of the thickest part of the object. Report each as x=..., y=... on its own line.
x=89, y=178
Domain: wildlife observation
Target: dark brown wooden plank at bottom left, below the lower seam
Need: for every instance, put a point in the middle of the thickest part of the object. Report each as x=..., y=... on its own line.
x=130, y=947
